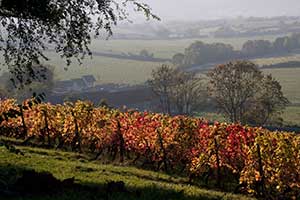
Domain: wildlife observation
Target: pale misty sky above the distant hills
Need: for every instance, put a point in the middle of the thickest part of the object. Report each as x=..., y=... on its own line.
x=212, y=9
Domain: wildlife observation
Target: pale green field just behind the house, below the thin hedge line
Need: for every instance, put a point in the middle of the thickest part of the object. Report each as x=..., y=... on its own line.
x=106, y=70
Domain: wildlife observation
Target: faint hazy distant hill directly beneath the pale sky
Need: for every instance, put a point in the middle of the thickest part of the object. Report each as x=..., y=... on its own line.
x=221, y=28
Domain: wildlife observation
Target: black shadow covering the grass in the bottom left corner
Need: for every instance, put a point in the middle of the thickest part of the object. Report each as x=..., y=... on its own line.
x=17, y=183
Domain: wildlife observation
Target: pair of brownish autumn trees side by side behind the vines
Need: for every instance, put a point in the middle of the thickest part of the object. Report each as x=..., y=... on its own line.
x=241, y=91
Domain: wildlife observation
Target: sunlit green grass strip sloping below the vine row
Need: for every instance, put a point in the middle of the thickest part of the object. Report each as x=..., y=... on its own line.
x=148, y=184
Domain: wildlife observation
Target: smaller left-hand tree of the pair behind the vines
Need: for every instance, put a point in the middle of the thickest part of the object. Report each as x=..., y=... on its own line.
x=179, y=92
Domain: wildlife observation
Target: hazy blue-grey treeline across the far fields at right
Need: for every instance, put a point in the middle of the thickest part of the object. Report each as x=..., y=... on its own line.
x=199, y=53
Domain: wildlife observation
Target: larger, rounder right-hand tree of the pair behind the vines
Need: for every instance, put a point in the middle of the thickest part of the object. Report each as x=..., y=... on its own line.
x=244, y=94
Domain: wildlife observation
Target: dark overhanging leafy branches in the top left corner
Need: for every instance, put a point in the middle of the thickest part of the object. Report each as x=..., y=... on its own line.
x=29, y=27
